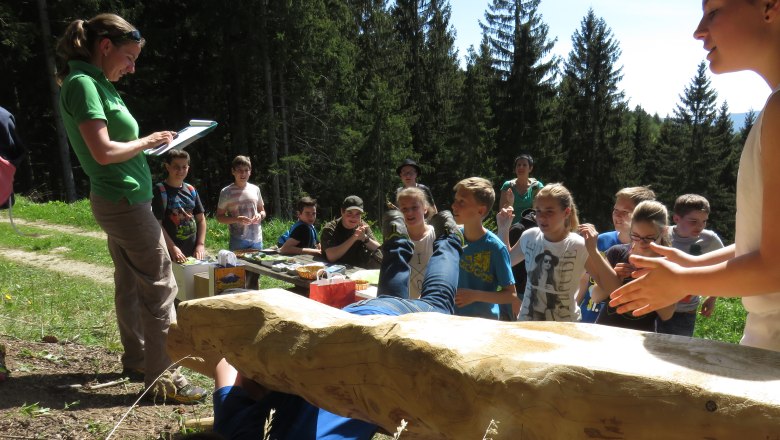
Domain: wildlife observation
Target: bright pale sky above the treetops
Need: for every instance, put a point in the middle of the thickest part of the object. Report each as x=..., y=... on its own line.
x=659, y=54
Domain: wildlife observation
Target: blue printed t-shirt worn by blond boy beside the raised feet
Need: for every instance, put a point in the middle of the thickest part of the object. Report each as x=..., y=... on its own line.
x=485, y=266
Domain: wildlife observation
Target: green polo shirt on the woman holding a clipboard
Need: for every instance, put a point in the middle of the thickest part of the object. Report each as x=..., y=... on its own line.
x=86, y=94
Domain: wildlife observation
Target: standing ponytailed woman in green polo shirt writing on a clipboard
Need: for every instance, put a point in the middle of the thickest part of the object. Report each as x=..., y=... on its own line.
x=104, y=135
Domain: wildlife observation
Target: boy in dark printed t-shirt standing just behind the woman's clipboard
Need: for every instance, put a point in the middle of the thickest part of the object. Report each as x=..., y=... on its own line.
x=178, y=208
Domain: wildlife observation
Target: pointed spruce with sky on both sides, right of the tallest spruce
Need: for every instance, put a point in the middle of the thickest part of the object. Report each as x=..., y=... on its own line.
x=591, y=111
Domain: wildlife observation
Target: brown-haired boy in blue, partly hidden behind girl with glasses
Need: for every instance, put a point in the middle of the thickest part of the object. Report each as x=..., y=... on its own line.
x=625, y=201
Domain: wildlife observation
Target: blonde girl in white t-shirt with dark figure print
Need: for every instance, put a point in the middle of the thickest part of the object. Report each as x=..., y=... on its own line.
x=555, y=256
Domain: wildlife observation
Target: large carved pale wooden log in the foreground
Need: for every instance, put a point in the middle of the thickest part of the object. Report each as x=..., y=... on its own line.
x=448, y=377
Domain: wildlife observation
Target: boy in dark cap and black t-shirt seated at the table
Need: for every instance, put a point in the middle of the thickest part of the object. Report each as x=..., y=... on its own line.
x=348, y=240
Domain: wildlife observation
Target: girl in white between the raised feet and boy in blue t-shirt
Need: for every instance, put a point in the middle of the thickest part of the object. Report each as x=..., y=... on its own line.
x=413, y=204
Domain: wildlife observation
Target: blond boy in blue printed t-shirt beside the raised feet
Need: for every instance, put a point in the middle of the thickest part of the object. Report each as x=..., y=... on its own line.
x=485, y=280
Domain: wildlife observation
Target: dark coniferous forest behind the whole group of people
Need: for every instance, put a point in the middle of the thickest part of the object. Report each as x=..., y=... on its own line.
x=327, y=97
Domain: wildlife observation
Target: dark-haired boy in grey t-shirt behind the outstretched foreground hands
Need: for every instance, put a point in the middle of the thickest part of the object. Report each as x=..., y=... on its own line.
x=690, y=214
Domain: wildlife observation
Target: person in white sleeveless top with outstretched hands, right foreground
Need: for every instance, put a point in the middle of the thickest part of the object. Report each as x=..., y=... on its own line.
x=738, y=35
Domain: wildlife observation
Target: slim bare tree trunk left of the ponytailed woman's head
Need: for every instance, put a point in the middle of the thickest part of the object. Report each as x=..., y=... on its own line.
x=62, y=137
